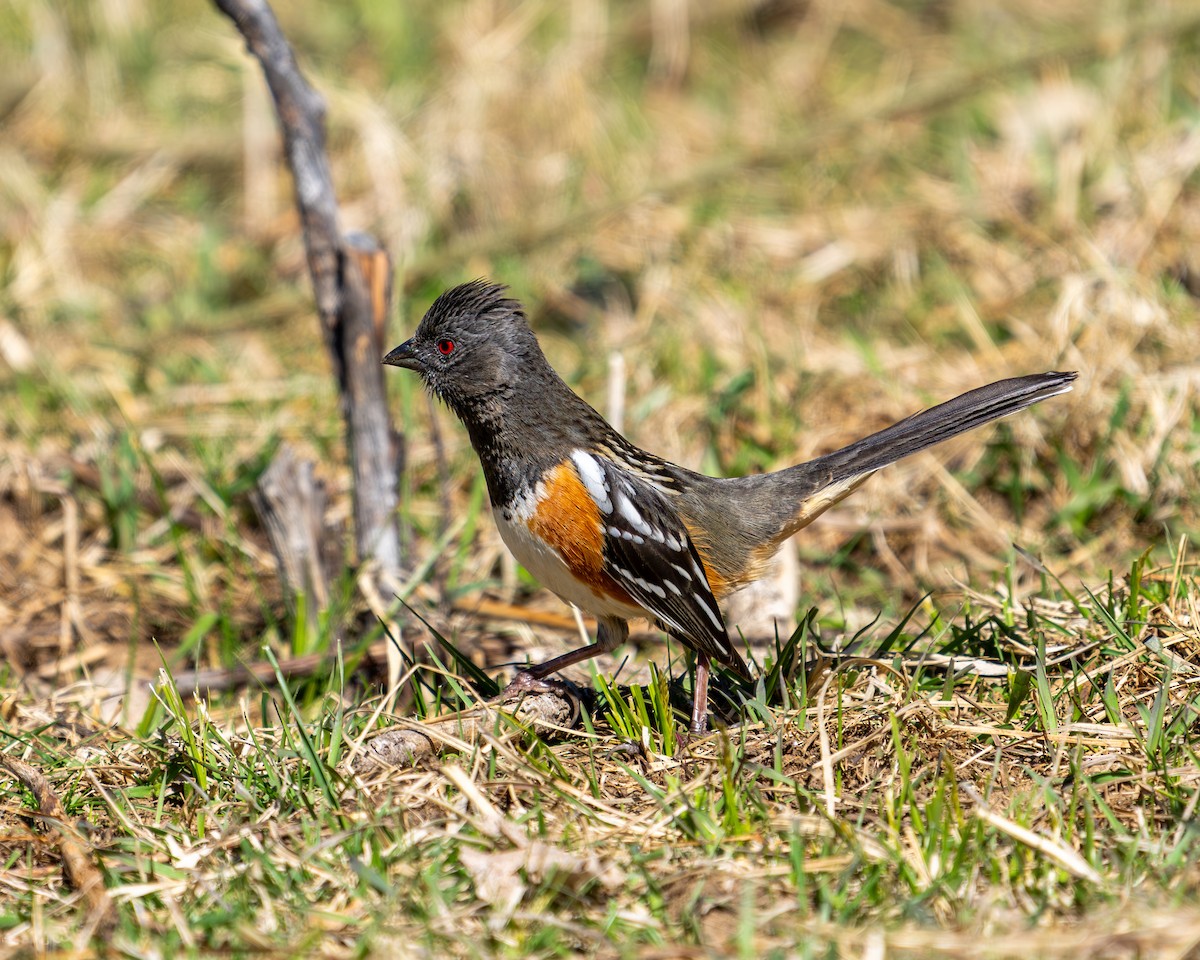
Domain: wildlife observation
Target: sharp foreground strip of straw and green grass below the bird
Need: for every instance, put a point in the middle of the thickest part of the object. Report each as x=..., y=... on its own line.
x=890, y=815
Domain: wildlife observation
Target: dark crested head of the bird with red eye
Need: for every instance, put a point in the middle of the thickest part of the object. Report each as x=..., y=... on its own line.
x=472, y=347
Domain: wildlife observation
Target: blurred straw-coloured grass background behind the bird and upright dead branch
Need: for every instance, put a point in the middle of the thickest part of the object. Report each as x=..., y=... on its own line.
x=753, y=230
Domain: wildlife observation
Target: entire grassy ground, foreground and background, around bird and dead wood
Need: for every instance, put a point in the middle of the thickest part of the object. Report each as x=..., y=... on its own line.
x=739, y=225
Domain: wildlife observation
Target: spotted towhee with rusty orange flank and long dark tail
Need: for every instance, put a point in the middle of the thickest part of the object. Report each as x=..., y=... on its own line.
x=620, y=532
